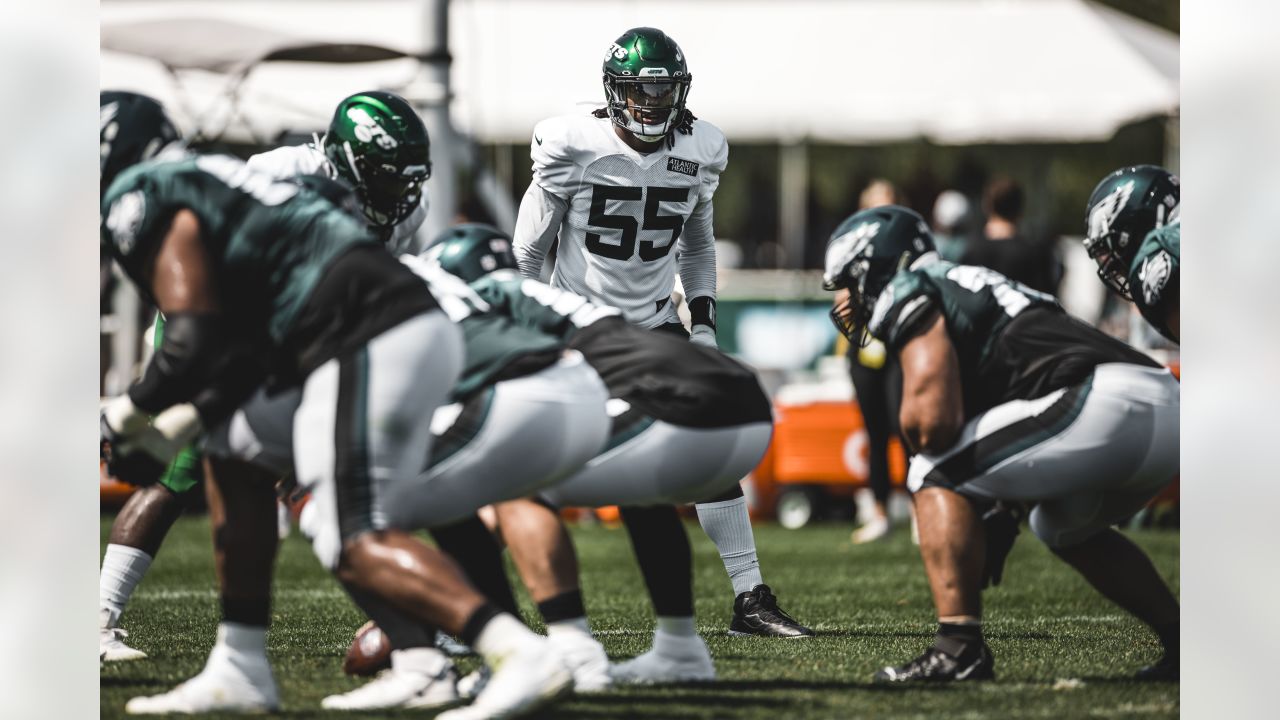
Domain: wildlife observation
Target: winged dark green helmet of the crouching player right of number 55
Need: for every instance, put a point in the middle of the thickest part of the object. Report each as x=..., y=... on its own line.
x=865, y=254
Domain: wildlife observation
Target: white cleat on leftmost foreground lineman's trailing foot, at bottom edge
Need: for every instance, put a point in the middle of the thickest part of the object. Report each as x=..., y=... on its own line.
x=532, y=676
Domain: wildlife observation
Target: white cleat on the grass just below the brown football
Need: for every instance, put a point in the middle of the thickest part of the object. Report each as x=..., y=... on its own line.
x=420, y=677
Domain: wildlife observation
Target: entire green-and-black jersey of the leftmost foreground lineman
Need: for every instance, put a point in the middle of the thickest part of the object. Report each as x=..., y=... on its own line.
x=296, y=276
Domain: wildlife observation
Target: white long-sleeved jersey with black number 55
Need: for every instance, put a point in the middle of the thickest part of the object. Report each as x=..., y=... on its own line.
x=627, y=222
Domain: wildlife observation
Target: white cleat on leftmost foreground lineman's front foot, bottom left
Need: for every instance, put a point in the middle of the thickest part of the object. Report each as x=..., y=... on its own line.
x=244, y=685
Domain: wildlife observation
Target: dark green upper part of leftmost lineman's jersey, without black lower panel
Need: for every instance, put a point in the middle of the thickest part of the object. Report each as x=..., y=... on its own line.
x=271, y=241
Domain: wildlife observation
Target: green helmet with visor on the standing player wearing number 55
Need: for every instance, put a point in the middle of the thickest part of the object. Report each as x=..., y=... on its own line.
x=646, y=84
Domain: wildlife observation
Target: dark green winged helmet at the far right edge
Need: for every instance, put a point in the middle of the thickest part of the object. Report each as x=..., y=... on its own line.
x=1126, y=207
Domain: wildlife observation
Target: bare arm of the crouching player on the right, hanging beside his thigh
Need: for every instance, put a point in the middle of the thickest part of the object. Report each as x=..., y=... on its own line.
x=932, y=409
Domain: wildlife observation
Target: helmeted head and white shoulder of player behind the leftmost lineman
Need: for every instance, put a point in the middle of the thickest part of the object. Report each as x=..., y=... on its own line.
x=380, y=147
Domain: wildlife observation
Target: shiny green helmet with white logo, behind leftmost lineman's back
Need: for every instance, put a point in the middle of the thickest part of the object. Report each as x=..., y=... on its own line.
x=380, y=145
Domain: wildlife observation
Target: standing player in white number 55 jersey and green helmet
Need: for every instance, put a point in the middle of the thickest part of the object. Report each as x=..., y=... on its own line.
x=629, y=190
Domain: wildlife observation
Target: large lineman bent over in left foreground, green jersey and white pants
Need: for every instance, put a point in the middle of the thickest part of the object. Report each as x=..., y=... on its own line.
x=248, y=270
